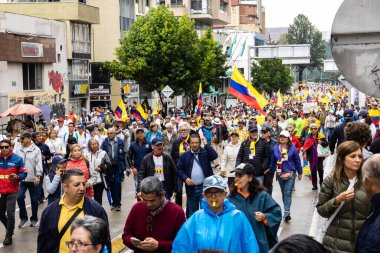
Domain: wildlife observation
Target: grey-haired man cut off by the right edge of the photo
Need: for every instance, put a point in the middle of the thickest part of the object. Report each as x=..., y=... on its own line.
x=368, y=239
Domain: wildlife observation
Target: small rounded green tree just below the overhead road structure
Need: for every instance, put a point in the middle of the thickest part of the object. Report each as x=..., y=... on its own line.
x=271, y=75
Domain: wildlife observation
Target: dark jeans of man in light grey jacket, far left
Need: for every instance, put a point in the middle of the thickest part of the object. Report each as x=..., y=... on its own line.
x=33, y=192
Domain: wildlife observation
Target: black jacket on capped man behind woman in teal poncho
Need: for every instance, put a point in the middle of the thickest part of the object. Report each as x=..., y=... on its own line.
x=261, y=159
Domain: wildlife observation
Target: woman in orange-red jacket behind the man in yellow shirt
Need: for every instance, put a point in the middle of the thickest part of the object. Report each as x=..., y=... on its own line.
x=78, y=161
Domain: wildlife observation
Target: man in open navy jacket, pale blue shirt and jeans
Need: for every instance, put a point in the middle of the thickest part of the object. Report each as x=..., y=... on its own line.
x=193, y=167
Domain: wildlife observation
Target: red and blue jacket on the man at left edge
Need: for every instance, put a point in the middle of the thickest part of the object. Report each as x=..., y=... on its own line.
x=13, y=164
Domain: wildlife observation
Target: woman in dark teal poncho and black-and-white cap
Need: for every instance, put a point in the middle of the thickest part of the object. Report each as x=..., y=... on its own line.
x=262, y=211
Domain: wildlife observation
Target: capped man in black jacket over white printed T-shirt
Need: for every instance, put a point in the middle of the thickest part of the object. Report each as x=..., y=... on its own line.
x=161, y=166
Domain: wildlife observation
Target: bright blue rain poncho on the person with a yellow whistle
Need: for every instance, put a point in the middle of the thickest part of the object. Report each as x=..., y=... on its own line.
x=228, y=231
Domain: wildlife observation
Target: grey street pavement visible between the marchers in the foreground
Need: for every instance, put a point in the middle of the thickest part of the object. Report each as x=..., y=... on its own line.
x=25, y=239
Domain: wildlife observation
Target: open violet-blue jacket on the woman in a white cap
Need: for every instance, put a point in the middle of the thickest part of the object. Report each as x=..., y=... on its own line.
x=292, y=164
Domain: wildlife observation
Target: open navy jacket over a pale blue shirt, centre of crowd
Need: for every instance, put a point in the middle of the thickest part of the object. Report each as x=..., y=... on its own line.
x=186, y=160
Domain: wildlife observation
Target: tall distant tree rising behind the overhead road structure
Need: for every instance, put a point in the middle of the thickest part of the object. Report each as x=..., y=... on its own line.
x=302, y=31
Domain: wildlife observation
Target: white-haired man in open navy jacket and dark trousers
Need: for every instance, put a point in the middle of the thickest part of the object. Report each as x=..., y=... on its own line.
x=115, y=149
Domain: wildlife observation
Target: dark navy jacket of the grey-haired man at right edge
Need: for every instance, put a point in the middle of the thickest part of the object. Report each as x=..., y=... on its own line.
x=368, y=240
